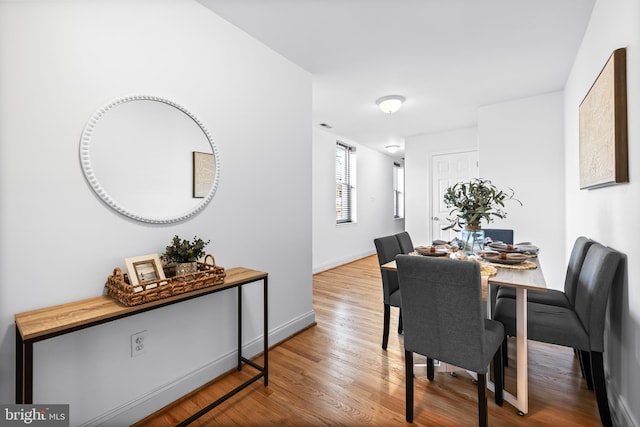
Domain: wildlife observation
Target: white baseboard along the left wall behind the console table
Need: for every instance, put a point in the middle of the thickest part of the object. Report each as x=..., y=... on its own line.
x=156, y=399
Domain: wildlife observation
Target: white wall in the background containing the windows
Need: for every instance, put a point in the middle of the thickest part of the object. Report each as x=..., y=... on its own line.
x=335, y=244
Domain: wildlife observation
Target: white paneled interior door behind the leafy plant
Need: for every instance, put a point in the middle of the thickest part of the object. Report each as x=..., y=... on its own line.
x=446, y=170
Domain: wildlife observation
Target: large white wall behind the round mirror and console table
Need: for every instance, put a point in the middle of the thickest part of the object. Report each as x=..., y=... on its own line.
x=59, y=61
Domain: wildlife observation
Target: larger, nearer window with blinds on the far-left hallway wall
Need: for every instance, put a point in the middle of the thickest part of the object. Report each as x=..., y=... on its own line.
x=345, y=183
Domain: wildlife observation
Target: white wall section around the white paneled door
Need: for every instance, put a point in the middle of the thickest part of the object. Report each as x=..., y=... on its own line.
x=419, y=150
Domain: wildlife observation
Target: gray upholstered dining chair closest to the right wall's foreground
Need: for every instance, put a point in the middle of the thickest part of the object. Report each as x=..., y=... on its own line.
x=580, y=326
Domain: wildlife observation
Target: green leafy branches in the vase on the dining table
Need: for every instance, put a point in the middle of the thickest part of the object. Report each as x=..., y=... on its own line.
x=474, y=201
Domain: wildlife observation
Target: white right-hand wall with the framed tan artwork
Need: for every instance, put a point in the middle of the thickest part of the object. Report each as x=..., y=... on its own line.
x=610, y=214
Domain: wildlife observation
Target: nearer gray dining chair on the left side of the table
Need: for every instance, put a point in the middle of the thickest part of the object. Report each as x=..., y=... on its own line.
x=387, y=248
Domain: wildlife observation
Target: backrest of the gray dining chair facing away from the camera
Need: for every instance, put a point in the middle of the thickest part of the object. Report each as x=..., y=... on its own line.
x=442, y=310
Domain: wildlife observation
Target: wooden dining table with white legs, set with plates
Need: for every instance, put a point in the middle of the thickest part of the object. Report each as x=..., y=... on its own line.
x=522, y=279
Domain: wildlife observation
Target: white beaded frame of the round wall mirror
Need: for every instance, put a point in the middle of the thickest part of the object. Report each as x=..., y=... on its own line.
x=85, y=160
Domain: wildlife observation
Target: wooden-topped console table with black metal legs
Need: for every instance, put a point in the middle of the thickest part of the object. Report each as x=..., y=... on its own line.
x=38, y=325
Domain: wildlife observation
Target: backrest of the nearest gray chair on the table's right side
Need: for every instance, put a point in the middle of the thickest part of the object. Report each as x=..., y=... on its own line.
x=592, y=291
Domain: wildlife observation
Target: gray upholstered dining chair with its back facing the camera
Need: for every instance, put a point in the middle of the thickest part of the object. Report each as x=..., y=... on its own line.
x=443, y=320
